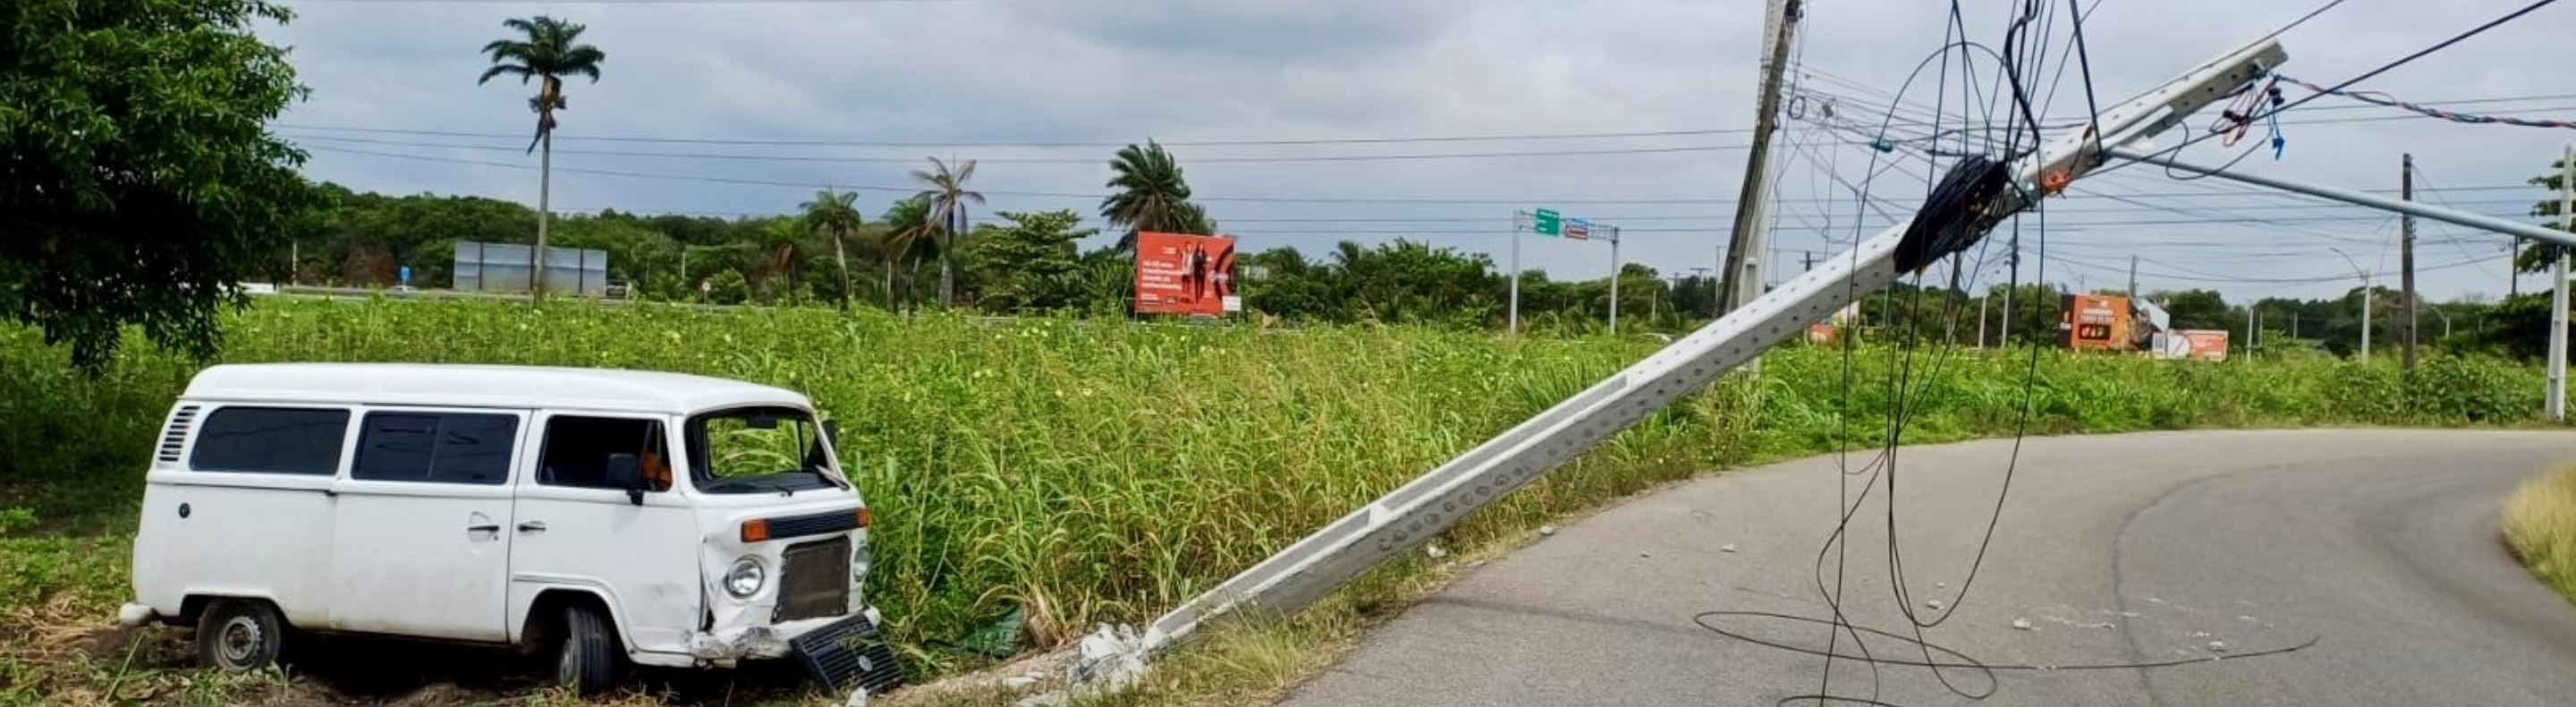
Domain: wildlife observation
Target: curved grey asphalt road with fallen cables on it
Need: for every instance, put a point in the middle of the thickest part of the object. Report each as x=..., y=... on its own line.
x=2382, y=546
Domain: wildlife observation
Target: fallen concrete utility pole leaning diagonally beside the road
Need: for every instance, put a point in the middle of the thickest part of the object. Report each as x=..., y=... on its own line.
x=1975, y=197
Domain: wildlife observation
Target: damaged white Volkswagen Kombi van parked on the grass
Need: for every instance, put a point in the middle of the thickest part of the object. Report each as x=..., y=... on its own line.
x=612, y=517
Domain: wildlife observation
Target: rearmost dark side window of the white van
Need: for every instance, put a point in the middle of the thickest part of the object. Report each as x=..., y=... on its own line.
x=272, y=443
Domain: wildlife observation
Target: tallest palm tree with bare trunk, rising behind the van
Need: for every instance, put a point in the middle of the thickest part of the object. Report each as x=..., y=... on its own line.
x=553, y=50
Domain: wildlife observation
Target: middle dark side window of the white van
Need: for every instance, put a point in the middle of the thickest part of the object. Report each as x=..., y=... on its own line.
x=437, y=448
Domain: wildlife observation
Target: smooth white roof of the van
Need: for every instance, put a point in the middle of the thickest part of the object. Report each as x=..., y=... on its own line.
x=473, y=386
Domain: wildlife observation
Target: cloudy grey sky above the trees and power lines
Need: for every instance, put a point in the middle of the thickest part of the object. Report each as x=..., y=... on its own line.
x=1390, y=107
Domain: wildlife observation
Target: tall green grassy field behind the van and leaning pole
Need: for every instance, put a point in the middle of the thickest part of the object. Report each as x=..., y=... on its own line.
x=1091, y=473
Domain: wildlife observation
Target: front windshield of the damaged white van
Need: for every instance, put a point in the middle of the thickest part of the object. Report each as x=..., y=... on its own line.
x=759, y=450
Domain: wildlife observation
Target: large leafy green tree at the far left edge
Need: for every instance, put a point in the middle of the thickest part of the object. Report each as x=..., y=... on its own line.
x=138, y=177
